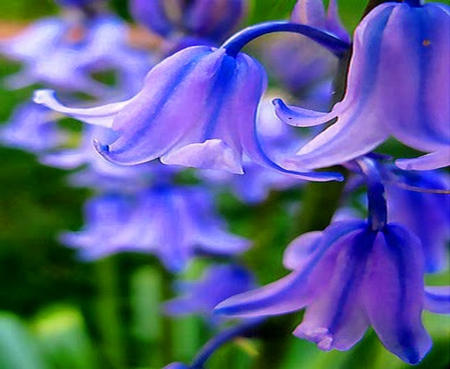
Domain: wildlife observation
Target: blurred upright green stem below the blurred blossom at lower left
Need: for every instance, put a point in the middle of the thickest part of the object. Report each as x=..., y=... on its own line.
x=108, y=312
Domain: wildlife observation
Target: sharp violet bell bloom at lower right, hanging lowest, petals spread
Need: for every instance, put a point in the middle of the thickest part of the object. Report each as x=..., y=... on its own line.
x=349, y=277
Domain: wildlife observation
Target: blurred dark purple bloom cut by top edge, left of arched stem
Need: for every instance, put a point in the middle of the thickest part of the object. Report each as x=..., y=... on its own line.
x=210, y=19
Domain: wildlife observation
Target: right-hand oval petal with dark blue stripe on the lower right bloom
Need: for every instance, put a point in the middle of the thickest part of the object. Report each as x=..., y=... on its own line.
x=394, y=294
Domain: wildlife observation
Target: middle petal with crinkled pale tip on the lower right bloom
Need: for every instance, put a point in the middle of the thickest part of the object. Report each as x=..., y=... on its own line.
x=336, y=319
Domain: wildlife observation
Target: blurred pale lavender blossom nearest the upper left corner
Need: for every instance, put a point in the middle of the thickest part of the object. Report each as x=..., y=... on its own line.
x=63, y=55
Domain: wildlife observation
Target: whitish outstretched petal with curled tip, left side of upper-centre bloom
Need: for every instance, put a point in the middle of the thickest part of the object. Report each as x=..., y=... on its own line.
x=101, y=116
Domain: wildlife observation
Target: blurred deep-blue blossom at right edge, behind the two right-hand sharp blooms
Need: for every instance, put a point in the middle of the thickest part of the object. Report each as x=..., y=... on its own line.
x=425, y=214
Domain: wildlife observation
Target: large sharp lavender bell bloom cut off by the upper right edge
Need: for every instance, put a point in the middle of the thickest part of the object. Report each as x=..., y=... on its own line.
x=398, y=85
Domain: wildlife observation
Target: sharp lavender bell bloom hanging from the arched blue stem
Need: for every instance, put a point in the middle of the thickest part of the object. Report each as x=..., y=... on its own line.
x=197, y=108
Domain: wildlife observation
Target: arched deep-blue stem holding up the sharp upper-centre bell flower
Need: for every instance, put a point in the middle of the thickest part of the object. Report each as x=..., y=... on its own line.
x=236, y=42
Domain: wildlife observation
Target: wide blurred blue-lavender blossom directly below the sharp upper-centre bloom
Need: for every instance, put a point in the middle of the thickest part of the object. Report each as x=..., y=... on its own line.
x=174, y=223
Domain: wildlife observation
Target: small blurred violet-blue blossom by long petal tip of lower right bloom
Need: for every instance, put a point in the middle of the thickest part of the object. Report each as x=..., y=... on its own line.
x=218, y=283
